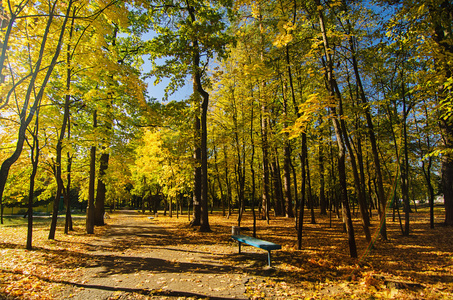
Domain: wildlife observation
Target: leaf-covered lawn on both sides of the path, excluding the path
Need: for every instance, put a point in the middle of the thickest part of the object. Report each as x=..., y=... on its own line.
x=414, y=267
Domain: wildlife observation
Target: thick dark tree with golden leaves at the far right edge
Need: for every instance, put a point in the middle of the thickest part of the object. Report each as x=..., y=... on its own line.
x=433, y=20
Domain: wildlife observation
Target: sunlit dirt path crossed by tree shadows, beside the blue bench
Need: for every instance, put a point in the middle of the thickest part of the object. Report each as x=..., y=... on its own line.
x=137, y=258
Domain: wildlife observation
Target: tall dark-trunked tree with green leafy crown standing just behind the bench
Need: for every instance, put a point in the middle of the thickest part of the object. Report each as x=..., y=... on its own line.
x=190, y=32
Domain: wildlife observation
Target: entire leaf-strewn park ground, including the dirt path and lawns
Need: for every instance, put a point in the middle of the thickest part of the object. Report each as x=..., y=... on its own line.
x=136, y=257
